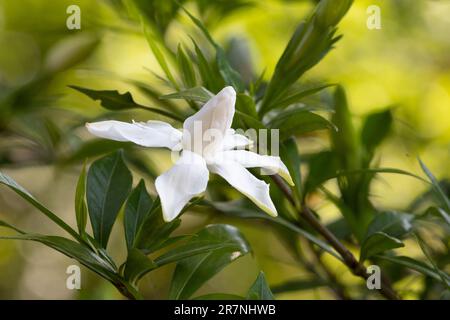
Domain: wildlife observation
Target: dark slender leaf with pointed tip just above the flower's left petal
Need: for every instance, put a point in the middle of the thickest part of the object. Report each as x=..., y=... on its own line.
x=113, y=100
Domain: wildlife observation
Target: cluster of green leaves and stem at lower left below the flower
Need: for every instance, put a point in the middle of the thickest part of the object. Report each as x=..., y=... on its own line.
x=215, y=246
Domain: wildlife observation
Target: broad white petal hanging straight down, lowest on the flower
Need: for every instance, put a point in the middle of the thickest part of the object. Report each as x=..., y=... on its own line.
x=186, y=179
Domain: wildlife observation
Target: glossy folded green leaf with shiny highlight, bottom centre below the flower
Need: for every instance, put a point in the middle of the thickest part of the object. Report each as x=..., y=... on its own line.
x=191, y=273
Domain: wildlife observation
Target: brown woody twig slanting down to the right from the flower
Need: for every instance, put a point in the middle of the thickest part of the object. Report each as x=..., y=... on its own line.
x=349, y=259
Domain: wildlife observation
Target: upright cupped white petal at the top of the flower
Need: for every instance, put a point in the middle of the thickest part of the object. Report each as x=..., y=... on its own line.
x=216, y=116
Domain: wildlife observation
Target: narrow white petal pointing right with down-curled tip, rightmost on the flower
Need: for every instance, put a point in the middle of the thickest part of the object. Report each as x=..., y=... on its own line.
x=253, y=160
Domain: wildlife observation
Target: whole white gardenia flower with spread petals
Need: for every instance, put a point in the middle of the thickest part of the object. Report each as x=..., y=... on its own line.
x=207, y=144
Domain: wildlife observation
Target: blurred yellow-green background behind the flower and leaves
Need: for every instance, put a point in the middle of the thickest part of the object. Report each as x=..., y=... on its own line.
x=405, y=64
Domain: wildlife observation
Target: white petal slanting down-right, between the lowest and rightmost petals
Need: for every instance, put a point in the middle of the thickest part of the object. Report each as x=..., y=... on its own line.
x=241, y=179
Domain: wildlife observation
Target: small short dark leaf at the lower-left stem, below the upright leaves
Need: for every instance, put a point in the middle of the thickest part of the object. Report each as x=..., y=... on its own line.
x=137, y=265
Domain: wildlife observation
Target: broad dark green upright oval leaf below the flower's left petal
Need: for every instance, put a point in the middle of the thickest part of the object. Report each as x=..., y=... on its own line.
x=108, y=184
